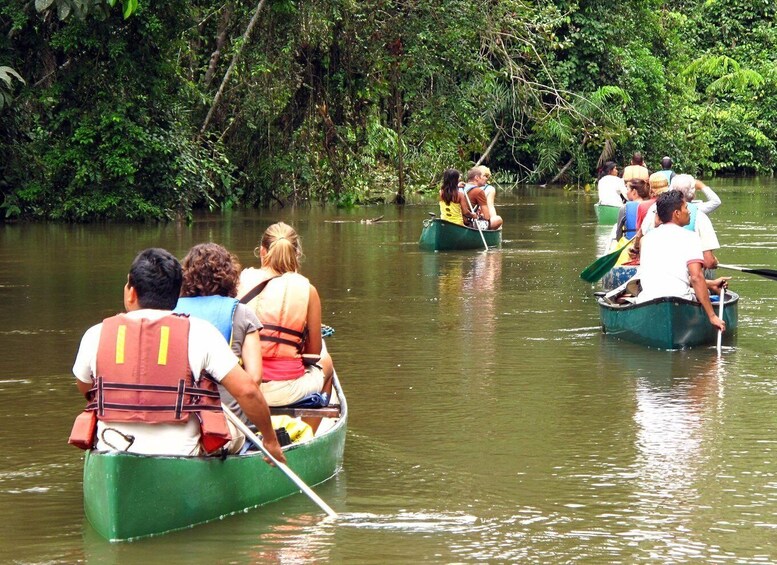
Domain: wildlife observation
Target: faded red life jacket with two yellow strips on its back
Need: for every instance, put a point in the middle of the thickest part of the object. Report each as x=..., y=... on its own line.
x=143, y=375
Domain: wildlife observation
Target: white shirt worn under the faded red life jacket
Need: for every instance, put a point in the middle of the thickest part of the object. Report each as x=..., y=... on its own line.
x=208, y=351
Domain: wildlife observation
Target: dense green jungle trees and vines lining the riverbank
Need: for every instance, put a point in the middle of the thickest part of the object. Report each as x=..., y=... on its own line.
x=135, y=109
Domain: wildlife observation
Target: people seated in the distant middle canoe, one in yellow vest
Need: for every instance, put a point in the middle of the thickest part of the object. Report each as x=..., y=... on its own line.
x=469, y=203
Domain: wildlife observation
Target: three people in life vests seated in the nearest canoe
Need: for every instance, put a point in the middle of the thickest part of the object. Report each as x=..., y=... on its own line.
x=198, y=334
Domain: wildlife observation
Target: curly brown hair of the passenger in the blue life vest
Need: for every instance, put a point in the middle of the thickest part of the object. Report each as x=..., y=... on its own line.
x=208, y=270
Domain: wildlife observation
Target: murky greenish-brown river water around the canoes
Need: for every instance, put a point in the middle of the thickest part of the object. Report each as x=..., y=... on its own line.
x=490, y=419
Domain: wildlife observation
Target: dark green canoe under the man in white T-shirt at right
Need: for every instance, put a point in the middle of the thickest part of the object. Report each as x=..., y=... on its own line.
x=666, y=323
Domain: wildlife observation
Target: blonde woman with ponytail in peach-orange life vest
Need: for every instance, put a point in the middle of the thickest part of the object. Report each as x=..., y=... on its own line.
x=295, y=363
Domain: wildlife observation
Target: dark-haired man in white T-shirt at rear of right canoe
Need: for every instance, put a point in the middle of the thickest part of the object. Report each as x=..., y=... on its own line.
x=671, y=259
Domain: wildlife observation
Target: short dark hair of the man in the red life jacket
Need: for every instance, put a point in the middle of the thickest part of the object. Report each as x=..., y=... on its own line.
x=156, y=276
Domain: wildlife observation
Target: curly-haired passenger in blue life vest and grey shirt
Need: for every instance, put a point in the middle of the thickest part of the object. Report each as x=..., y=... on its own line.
x=210, y=277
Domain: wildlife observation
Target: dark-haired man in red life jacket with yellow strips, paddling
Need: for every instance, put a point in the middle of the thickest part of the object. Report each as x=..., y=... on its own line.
x=149, y=376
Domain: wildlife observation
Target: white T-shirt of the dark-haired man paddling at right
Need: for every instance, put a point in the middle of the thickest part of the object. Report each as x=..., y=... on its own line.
x=666, y=252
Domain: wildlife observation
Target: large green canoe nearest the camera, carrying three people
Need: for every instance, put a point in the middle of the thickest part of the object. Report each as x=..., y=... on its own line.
x=129, y=496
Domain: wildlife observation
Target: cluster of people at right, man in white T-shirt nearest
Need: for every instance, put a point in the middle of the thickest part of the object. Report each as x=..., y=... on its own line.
x=666, y=232
